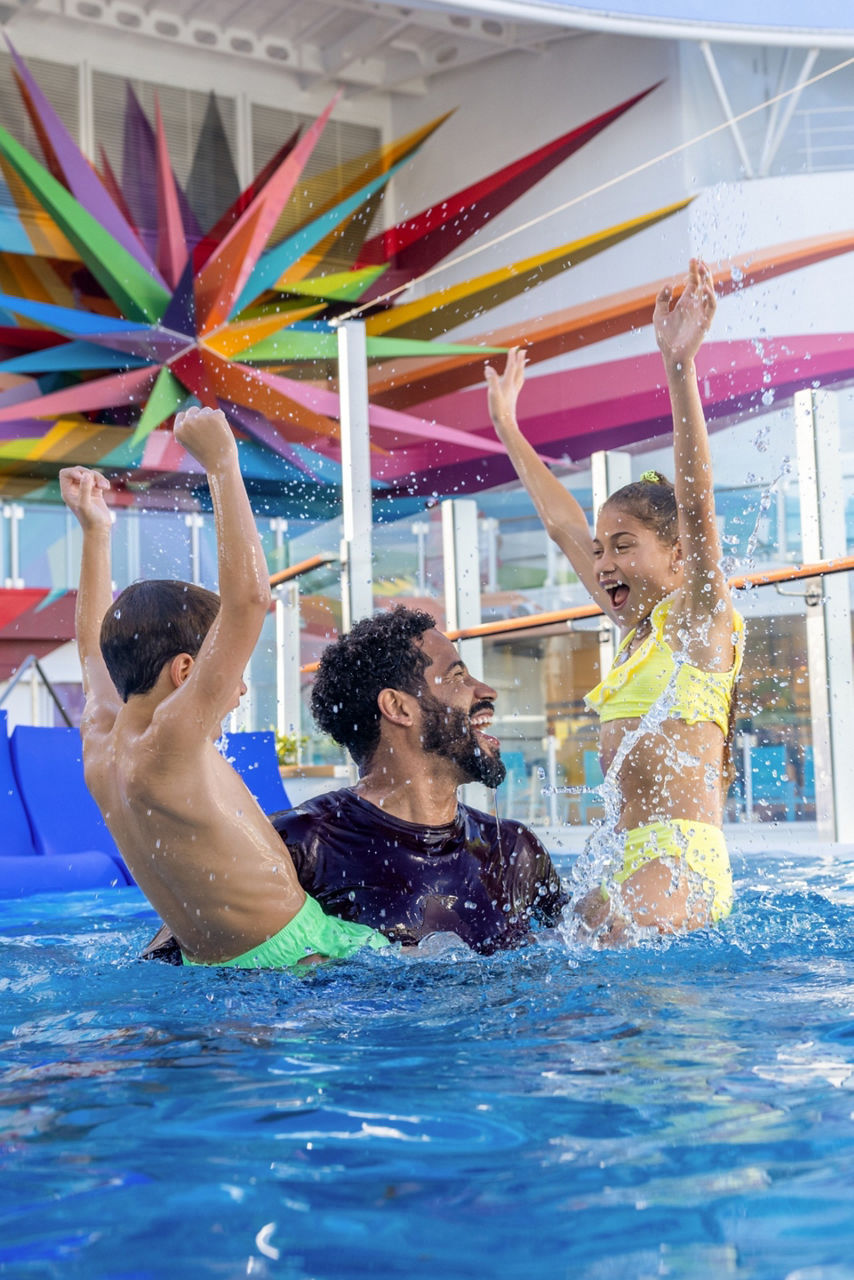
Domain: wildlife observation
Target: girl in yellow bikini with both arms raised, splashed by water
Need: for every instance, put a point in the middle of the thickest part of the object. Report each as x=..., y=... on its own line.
x=665, y=708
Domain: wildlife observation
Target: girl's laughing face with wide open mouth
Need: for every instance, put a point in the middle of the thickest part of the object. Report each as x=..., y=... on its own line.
x=633, y=565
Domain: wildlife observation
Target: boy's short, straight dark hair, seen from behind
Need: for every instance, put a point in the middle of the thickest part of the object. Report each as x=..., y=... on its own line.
x=149, y=625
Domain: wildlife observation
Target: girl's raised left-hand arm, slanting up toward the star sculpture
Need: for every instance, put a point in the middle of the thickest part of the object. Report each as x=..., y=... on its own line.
x=563, y=516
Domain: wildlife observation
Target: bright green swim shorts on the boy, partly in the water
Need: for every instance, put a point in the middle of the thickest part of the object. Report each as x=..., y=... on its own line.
x=310, y=932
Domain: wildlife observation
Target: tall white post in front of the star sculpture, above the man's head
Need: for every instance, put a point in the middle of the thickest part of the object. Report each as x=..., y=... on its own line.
x=357, y=573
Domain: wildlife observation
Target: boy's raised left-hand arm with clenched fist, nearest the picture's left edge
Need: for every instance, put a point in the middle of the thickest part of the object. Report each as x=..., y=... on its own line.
x=84, y=493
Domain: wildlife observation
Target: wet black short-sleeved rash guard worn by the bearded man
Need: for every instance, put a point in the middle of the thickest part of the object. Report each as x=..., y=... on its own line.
x=476, y=877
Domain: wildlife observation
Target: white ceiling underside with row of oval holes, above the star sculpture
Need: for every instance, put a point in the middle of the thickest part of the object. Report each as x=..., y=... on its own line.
x=350, y=43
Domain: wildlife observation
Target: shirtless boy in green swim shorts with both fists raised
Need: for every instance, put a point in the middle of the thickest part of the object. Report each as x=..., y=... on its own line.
x=162, y=668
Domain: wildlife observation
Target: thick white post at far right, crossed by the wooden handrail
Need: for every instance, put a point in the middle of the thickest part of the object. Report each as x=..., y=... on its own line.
x=829, y=620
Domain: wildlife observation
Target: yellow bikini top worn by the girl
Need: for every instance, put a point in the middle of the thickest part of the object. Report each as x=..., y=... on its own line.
x=633, y=687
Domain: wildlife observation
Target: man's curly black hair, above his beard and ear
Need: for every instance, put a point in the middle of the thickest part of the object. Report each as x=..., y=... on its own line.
x=380, y=653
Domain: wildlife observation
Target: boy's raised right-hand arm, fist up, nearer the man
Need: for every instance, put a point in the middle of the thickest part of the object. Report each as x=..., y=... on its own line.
x=244, y=577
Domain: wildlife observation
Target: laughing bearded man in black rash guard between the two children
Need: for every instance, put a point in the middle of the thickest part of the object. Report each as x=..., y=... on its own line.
x=398, y=851
